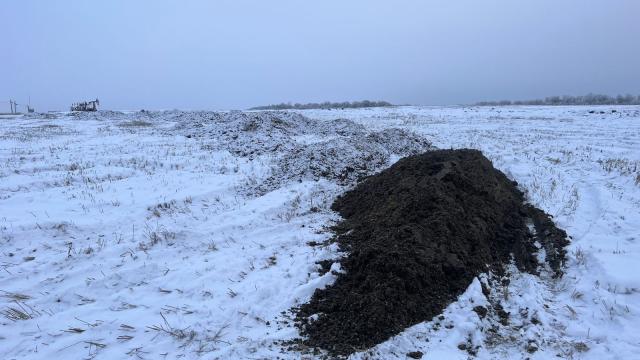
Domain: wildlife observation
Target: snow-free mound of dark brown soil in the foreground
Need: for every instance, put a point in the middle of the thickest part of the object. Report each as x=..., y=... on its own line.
x=417, y=234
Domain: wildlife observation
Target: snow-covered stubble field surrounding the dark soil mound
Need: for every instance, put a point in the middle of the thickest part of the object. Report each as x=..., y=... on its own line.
x=185, y=235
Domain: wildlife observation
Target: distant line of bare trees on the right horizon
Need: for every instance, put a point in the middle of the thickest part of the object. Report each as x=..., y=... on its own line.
x=590, y=99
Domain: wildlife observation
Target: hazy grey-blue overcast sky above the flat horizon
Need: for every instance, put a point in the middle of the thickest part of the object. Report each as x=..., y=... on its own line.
x=236, y=54
